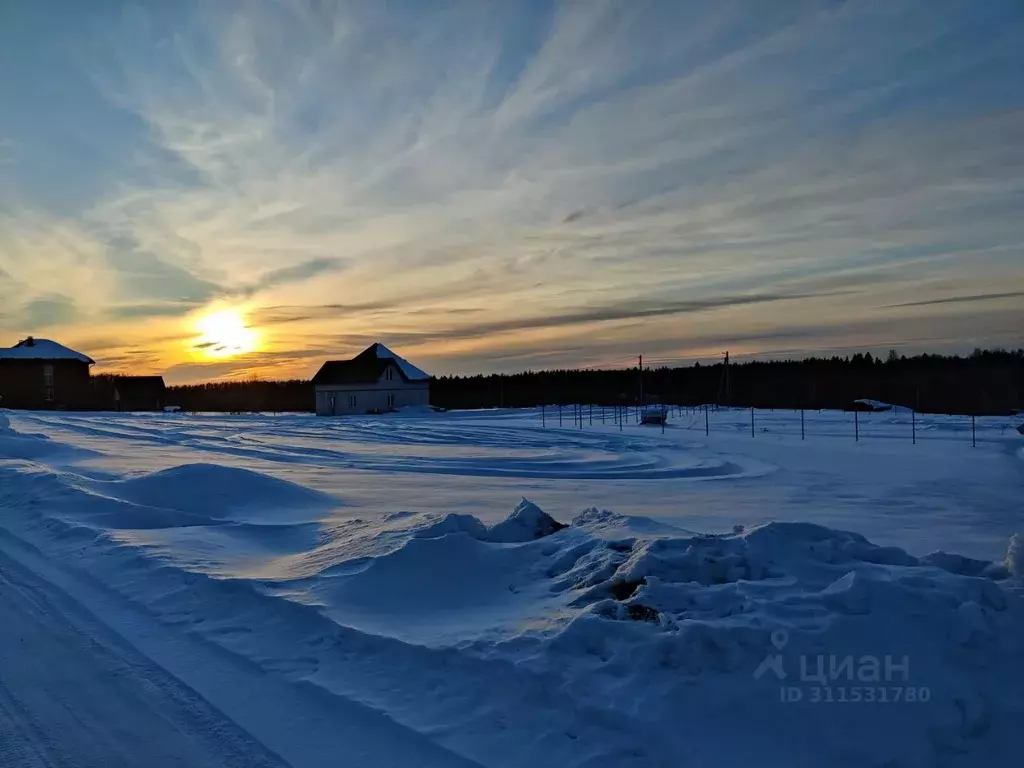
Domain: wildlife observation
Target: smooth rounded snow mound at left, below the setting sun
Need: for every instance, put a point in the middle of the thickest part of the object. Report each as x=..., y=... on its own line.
x=215, y=491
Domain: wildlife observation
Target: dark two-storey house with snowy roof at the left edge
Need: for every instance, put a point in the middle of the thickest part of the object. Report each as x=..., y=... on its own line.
x=41, y=374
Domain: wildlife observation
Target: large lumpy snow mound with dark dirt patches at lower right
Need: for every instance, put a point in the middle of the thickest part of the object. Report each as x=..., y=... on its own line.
x=710, y=629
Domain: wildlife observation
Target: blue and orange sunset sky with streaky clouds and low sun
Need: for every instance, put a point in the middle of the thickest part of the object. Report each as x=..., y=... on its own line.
x=222, y=190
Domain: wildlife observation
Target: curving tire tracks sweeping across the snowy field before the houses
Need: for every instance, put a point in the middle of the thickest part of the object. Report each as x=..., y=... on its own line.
x=421, y=447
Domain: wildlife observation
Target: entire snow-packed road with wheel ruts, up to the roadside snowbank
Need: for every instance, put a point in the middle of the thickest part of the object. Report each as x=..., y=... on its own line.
x=97, y=681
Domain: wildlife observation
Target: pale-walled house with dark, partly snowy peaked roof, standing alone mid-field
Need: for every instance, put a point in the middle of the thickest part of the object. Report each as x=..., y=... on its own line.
x=375, y=381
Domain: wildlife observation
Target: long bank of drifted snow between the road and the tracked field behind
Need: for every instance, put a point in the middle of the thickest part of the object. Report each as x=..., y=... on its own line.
x=613, y=641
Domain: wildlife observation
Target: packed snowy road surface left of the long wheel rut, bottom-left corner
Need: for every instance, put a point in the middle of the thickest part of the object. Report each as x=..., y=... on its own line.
x=73, y=694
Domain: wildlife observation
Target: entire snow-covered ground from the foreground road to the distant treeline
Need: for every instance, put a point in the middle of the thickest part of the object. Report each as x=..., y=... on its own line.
x=284, y=590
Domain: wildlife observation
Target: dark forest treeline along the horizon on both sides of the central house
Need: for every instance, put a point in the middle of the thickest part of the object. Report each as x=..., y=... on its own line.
x=986, y=382
